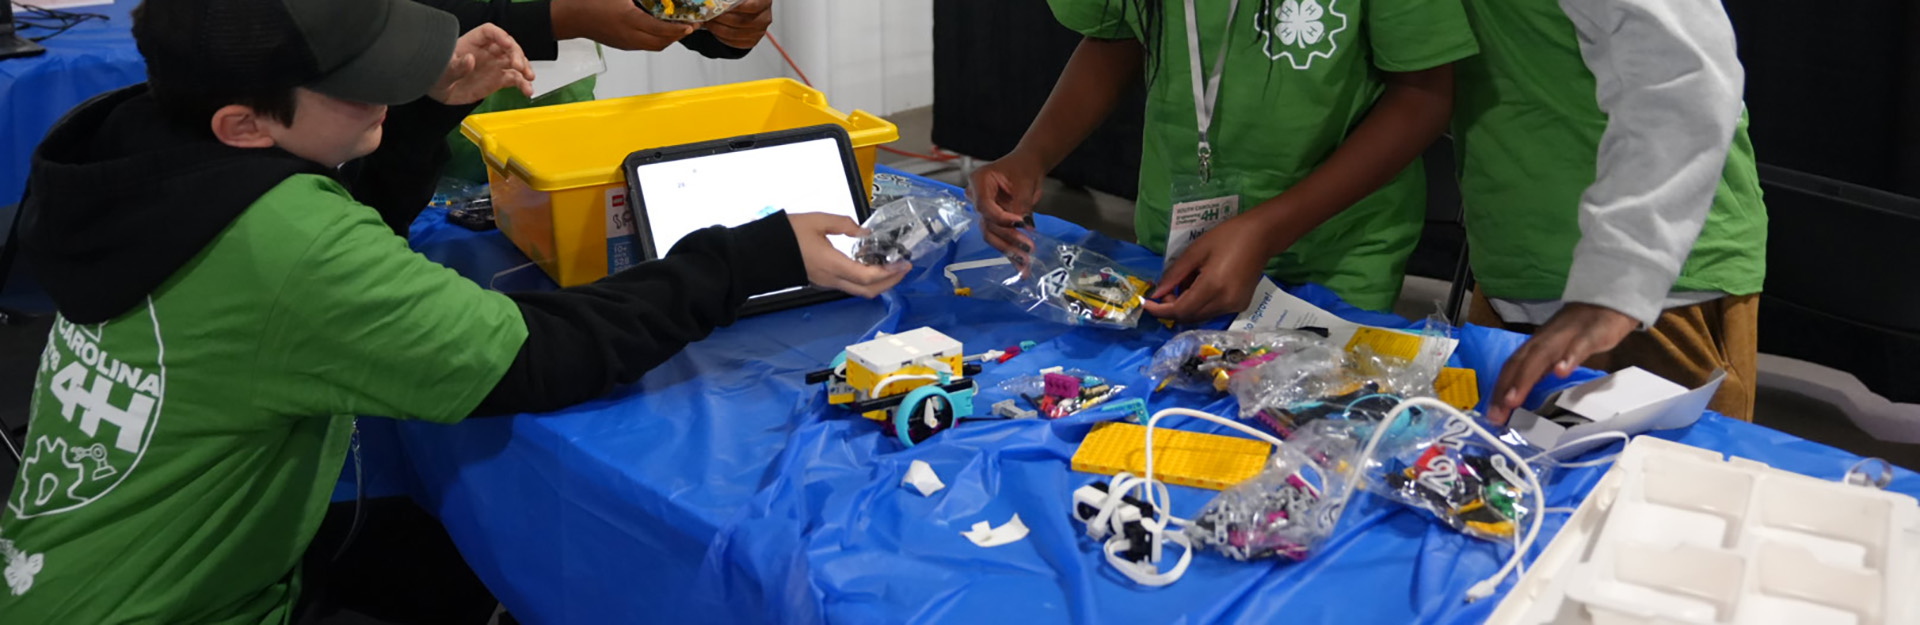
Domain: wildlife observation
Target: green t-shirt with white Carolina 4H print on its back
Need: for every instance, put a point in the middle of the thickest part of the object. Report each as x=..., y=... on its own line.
x=181, y=455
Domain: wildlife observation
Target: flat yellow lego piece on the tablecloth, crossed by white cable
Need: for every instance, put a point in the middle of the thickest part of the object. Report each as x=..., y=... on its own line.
x=1193, y=459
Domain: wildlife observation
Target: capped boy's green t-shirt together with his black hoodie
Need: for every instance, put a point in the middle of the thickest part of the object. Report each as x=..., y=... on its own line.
x=228, y=313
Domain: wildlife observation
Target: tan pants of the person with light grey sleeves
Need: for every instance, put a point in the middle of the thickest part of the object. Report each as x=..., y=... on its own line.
x=1683, y=346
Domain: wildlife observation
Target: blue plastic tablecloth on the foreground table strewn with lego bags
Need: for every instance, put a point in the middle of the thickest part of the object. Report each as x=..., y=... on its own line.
x=721, y=488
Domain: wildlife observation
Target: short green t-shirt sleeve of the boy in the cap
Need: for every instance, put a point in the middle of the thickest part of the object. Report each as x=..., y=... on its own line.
x=368, y=327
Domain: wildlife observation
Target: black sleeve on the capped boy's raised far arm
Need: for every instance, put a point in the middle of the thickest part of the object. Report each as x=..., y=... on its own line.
x=398, y=179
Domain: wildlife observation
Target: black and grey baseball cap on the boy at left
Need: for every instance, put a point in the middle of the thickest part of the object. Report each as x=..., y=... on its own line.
x=364, y=51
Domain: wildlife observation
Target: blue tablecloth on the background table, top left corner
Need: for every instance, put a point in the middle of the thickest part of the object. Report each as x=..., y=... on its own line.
x=91, y=58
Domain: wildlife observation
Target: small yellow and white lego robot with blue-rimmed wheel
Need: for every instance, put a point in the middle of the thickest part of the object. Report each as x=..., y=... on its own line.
x=917, y=382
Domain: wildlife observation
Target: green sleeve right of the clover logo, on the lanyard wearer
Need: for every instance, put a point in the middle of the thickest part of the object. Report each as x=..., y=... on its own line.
x=1412, y=35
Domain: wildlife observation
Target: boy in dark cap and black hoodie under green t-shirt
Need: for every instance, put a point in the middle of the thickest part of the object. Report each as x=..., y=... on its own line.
x=228, y=308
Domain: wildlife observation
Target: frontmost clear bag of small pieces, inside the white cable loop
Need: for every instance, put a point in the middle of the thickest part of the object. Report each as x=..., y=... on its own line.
x=1291, y=507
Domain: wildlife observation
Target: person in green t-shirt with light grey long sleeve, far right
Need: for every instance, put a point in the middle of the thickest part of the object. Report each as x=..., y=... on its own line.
x=1610, y=185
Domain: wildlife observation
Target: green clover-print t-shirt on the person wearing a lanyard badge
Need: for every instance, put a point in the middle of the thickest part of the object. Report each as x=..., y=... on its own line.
x=1301, y=76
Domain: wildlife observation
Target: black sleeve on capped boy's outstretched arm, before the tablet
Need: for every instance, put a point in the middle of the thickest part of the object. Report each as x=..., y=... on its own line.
x=583, y=342
